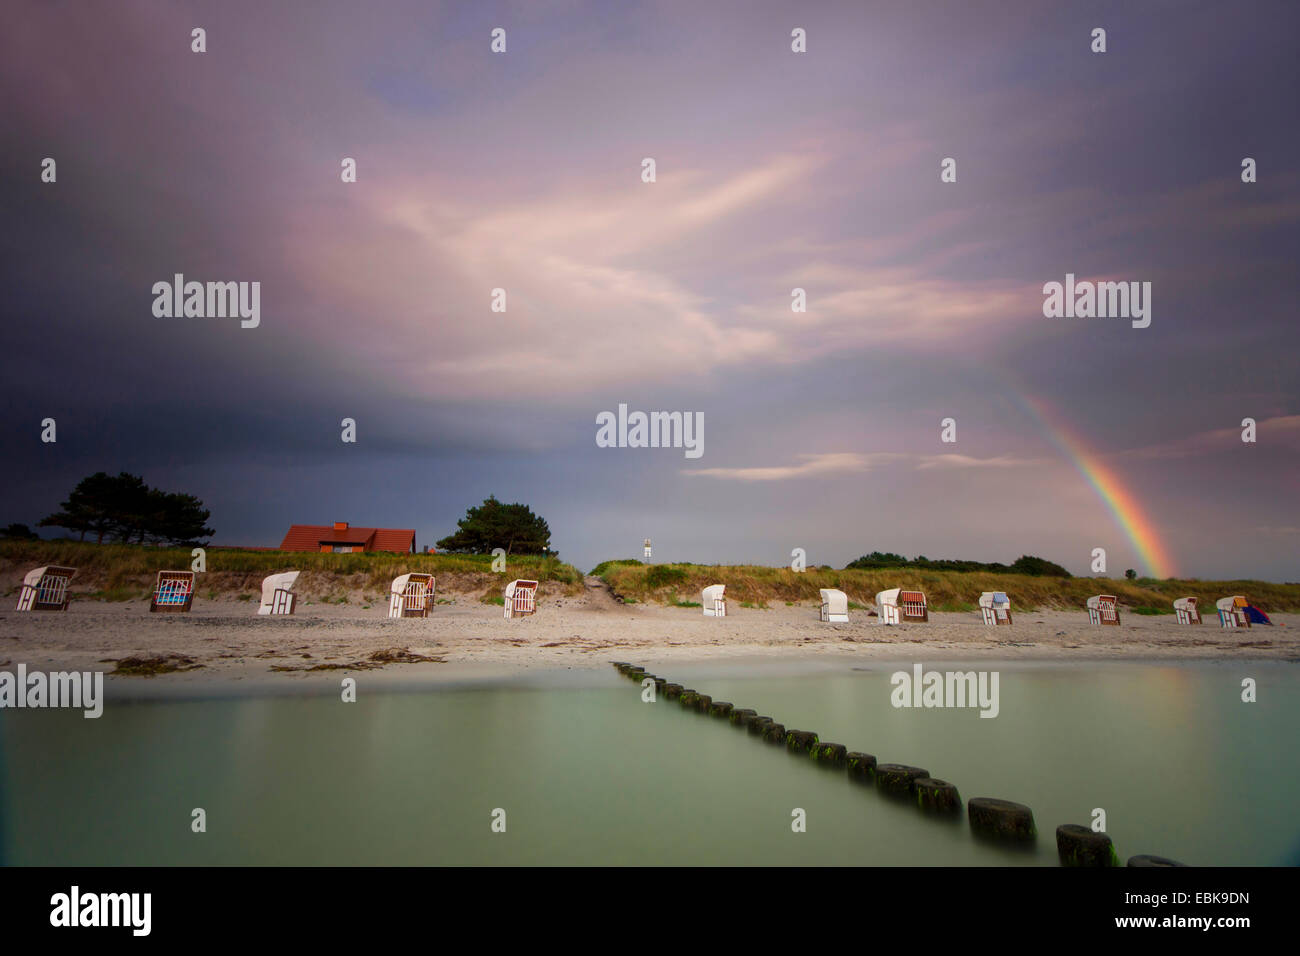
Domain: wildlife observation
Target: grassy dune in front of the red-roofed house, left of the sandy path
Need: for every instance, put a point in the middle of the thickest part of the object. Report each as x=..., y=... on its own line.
x=125, y=573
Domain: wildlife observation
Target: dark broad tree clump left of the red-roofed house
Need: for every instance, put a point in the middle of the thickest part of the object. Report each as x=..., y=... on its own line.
x=123, y=507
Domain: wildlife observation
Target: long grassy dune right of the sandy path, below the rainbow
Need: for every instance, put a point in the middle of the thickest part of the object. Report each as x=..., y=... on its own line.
x=947, y=591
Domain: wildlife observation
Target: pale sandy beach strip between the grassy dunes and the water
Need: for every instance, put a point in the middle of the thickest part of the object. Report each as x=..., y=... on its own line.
x=223, y=641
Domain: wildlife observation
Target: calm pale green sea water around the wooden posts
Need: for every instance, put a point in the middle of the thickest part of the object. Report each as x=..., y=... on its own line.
x=590, y=775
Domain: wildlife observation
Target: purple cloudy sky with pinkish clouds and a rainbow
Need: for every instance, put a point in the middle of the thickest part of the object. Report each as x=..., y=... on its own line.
x=774, y=171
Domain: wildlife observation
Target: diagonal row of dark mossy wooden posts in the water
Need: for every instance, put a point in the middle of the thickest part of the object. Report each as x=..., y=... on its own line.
x=993, y=819
